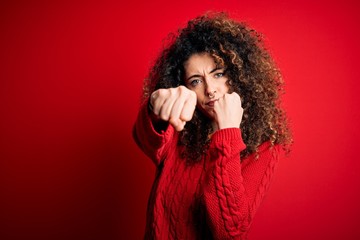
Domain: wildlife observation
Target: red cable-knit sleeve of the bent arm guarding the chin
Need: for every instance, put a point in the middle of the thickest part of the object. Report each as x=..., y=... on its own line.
x=234, y=189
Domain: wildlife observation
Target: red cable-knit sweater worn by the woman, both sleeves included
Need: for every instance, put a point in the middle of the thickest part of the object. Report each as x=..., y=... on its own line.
x=213, y=199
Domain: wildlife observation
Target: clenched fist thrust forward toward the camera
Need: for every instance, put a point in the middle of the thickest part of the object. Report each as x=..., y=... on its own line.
x=174, y=105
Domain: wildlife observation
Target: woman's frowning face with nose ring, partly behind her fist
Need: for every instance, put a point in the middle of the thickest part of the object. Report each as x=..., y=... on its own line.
x=207, y=80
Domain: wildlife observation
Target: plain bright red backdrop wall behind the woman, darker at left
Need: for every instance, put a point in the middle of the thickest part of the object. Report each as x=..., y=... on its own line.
x=70, y=83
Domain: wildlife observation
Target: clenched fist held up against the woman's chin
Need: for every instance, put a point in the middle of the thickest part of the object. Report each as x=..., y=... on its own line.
x=228, y=111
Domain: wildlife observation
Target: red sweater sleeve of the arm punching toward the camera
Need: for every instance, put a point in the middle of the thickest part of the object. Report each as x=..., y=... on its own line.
x=154, y=143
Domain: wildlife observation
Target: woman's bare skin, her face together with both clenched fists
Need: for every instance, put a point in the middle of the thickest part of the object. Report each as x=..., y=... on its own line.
x=205, y=88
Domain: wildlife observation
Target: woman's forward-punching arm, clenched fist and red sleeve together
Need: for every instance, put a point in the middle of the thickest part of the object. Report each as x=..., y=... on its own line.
x=155, y=126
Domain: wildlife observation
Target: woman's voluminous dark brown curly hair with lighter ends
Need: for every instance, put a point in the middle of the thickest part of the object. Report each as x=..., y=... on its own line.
x=251, y=71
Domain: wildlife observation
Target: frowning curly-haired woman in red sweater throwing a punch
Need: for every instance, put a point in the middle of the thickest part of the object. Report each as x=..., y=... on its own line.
x=212, y=124
